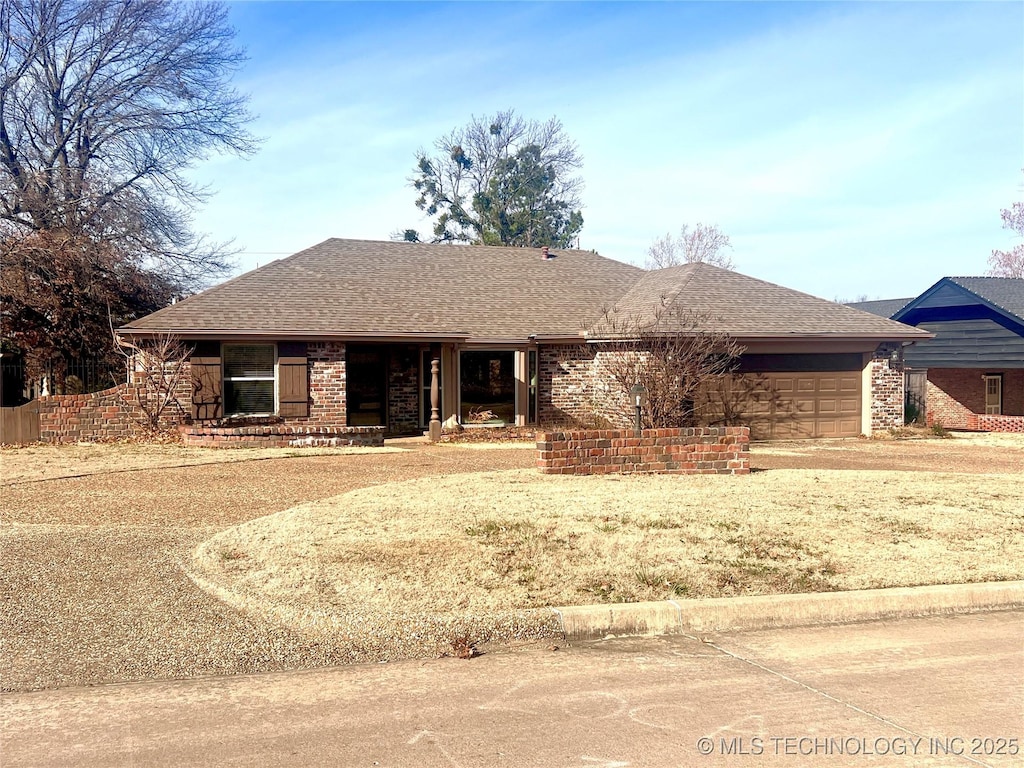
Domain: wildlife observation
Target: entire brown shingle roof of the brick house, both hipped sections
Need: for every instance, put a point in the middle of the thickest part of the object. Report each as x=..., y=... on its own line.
x=360, y=288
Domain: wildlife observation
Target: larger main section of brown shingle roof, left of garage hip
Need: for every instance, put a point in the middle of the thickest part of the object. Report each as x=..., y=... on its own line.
x=345, y=287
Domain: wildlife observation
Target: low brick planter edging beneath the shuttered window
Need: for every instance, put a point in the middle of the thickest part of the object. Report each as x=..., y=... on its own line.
x=281, y=436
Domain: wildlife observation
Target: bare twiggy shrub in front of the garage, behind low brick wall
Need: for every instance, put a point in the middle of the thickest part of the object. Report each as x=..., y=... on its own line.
x=675, y=356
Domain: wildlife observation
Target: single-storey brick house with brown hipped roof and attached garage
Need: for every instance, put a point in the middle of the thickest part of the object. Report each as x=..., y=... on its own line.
x=358, y=333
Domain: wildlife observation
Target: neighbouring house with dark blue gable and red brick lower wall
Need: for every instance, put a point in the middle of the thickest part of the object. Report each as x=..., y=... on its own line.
x=975, y=364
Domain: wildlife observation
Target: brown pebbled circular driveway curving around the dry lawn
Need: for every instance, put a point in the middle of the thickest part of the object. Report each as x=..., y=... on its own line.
x=92, y=587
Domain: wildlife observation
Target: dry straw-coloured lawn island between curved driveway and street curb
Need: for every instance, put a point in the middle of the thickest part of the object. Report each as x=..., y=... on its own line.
x=514, y=541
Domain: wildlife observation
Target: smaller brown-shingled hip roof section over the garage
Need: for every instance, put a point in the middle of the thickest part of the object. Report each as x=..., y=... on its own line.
x=747, y=308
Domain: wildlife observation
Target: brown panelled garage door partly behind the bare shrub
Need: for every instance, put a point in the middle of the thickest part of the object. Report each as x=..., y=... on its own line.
x=803, y=405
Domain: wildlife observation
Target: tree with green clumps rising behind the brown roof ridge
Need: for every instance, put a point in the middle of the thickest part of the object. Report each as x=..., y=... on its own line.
x=501, y=180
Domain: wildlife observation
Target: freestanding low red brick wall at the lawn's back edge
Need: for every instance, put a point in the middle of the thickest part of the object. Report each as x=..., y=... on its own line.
x=682, y=451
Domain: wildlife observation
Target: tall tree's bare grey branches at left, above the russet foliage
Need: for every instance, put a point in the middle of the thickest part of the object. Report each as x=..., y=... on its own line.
x=104, y=105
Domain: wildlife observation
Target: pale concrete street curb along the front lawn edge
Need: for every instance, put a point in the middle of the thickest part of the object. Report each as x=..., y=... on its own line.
x=770, y=612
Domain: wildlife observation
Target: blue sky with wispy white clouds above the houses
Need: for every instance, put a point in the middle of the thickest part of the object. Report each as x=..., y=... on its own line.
x=848, y=149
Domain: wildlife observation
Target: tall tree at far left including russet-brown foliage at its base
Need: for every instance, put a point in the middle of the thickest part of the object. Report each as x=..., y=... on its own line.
x=104, y=107
